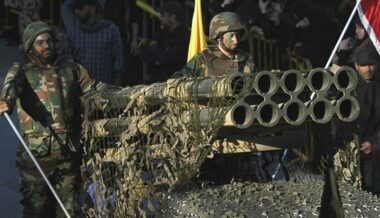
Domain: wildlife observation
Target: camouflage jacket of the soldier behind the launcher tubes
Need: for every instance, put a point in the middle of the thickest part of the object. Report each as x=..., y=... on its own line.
x=212, y=62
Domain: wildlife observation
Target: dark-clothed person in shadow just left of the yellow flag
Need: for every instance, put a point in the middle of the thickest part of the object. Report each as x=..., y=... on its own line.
x=168, y=53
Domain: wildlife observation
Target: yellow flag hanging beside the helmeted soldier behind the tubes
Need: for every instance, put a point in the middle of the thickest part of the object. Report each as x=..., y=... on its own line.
x=197, y=38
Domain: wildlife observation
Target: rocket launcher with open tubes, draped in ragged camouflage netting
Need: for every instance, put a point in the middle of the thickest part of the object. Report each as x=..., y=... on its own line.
x=144, y=142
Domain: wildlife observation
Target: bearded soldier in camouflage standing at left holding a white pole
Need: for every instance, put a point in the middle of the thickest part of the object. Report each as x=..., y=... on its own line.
x=46, y=91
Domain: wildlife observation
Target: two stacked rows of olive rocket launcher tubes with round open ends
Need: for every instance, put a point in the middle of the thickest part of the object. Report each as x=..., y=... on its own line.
x=283, y=96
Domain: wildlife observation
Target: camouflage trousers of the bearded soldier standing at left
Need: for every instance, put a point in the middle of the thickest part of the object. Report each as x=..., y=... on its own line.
x=62, y=171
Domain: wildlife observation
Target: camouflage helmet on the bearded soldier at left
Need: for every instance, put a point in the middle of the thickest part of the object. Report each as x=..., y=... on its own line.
x=32, y=31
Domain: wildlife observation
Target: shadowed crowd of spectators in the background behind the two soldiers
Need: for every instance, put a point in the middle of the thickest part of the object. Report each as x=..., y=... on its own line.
x=295, y=25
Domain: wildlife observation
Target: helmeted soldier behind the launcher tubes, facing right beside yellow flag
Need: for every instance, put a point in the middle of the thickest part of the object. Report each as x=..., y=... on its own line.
x=223, y=58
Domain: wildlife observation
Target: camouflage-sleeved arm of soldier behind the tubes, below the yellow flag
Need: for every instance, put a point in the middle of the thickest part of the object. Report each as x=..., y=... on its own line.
x=194, y=68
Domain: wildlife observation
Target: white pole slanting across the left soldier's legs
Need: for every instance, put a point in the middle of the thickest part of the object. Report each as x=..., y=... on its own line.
x=37, y=165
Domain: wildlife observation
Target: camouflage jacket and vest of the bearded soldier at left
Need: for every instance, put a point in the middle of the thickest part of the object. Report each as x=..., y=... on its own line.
x=45, y=96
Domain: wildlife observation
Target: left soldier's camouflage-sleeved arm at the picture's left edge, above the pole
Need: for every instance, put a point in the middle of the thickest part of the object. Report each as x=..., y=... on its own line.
x=13, y=86
